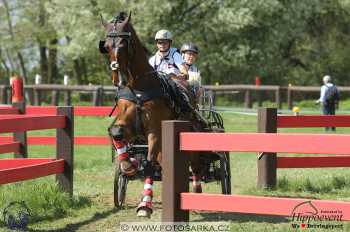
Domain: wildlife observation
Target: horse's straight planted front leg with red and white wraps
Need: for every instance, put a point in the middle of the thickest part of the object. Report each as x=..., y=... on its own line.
x=144, y=208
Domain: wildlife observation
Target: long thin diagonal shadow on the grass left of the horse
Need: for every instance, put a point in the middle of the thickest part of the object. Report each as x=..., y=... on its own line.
x=76, y=226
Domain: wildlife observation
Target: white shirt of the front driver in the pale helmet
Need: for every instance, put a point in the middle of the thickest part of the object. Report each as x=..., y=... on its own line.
x=169, y=63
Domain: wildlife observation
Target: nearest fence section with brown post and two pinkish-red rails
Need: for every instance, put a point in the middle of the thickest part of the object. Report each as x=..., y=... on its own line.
x=177, y=202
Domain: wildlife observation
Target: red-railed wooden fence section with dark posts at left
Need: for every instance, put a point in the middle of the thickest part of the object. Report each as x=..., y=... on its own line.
x=23, y=168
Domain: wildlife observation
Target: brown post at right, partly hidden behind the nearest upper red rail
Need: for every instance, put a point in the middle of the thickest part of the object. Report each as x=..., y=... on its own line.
x=267, y=162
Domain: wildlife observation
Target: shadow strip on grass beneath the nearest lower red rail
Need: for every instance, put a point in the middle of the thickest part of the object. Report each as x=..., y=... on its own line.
x=238, y=217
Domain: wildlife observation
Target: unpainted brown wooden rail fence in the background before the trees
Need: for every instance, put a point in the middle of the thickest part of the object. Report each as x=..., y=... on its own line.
x=35, y=93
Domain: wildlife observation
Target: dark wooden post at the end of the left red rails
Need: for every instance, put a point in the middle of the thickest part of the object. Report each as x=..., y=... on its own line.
x=65, y=149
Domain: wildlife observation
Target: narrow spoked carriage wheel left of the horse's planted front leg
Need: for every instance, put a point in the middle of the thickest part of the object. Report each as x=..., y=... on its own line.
x=120, y=185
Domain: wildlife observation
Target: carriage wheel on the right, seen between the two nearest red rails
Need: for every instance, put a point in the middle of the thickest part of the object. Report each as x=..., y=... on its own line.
x=225, y=172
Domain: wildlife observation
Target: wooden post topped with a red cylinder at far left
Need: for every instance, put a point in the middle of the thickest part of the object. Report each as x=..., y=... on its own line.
x=18, y=101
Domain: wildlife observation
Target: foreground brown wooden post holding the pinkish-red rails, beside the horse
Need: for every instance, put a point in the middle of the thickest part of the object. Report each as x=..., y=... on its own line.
x=175, y=172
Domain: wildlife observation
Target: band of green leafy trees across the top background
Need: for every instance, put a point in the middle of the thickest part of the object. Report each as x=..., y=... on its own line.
x=282, y=41
